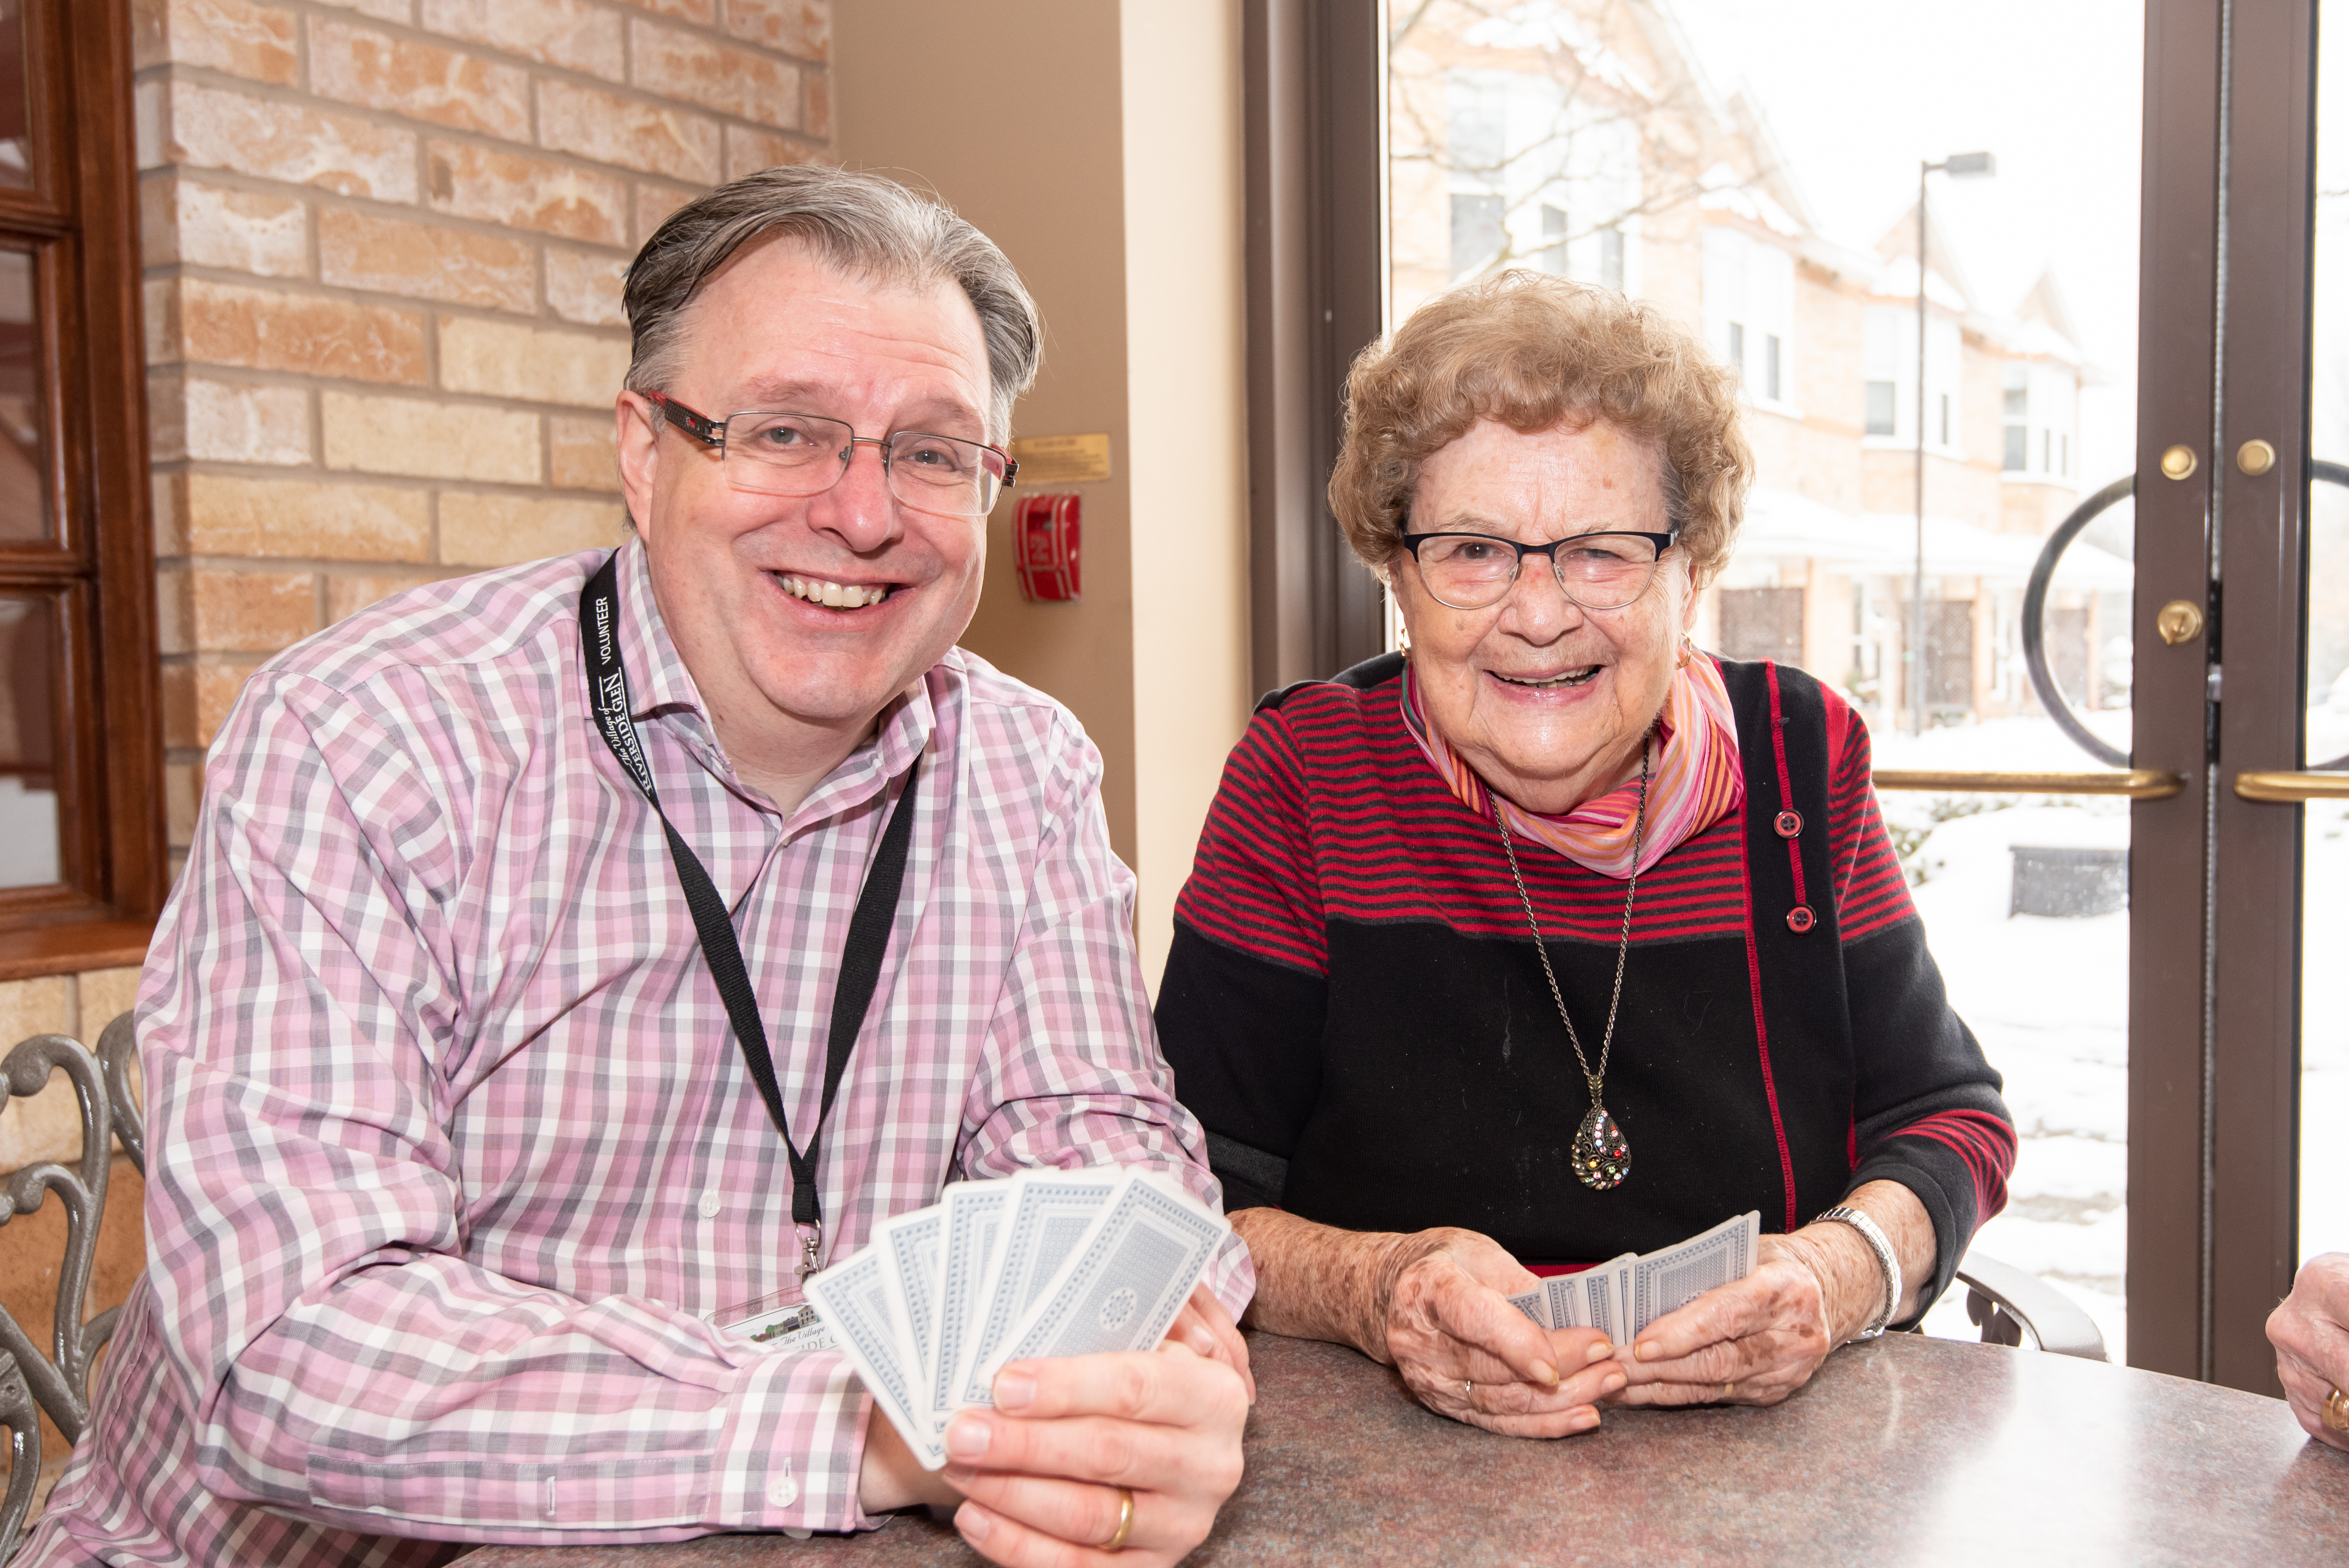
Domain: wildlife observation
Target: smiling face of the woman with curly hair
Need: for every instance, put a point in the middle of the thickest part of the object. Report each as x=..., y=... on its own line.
x=1544, y=698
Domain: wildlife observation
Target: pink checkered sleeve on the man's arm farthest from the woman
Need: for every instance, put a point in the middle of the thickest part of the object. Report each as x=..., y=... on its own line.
x=342, y=1358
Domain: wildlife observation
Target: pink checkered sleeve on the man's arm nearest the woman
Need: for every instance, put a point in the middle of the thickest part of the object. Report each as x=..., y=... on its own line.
x=1072, y=1074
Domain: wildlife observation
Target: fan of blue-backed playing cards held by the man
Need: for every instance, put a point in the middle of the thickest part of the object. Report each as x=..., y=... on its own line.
x=1049, y=1264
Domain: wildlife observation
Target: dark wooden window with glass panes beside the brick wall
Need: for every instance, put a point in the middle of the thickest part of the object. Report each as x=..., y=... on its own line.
x=81, y=748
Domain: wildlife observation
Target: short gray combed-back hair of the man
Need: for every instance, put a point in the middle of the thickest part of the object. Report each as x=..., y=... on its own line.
x=861, y=224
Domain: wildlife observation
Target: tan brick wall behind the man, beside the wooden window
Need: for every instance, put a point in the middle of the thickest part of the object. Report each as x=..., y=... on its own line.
x=384, y=250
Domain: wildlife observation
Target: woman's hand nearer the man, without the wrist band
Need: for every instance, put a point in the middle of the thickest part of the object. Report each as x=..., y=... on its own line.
x=1472, y=1356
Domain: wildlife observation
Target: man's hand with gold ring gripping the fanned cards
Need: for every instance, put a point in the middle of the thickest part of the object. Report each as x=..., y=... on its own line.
x=1042, y=1473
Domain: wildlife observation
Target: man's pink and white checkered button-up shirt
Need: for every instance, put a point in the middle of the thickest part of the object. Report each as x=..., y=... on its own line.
x=452, y=1149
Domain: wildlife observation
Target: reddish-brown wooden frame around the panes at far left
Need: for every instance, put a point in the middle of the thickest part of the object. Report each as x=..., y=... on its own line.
x=81, y=217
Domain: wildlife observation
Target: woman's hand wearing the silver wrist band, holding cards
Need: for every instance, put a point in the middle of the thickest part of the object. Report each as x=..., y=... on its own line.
x=1754, y=1341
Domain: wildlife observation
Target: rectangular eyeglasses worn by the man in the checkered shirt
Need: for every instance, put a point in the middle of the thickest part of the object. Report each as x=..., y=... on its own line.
x=805, y=454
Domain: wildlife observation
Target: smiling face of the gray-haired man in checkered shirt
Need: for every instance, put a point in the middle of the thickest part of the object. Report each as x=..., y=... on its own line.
x=805, y=616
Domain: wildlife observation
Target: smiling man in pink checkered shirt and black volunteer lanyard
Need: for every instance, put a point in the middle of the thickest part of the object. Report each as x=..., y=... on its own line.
x=471, y=1109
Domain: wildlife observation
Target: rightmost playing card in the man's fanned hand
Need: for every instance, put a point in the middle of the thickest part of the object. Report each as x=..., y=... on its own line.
x=1126, y=1280
